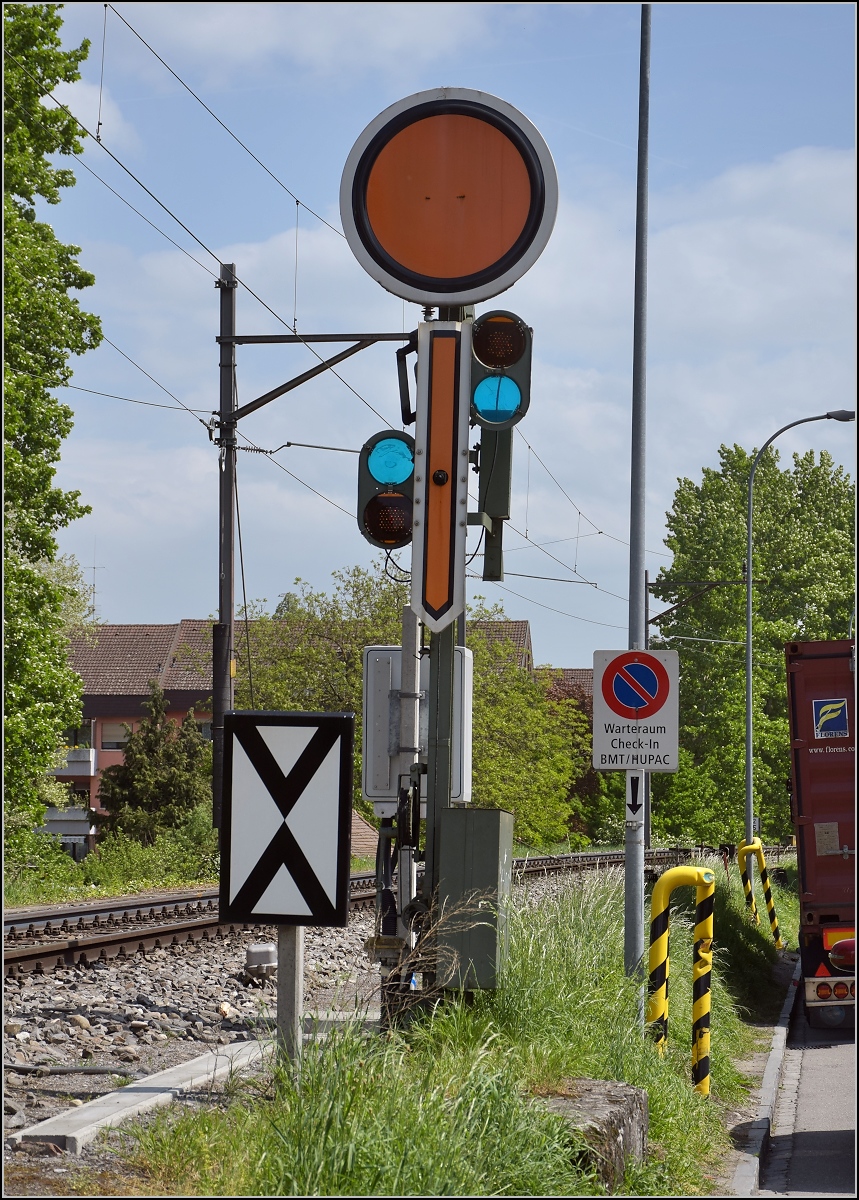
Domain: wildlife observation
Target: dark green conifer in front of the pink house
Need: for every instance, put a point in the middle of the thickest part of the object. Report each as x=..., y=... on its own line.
x=165, y=776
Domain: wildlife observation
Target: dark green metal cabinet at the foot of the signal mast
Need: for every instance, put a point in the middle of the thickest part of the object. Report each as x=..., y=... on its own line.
x=476, y=877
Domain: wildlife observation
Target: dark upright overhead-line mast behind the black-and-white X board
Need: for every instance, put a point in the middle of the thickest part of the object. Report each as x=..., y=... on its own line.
x=223, y=632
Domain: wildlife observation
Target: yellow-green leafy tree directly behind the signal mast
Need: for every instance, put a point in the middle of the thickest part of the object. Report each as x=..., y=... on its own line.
x=308, y=656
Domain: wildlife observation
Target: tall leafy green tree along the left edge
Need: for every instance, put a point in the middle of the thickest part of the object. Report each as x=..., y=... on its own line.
x=44, y=327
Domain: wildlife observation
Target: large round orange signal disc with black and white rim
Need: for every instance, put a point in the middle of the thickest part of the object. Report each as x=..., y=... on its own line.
x=449, y=197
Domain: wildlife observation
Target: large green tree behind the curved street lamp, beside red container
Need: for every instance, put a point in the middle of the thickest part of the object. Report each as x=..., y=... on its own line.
x=804, y=591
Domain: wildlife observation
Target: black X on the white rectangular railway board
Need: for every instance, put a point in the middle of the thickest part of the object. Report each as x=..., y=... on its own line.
x=284, y=850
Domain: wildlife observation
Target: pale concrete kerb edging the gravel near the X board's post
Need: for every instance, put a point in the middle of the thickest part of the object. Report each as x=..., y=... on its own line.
x=79, y=1127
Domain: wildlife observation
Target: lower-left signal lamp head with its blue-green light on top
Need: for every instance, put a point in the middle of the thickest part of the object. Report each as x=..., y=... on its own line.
x=386, y=487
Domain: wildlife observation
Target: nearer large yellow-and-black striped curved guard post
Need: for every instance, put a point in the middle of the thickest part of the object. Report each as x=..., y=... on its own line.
x=705, y=883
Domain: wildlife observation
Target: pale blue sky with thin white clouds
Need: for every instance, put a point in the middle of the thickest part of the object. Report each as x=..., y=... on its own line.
x=752, y=278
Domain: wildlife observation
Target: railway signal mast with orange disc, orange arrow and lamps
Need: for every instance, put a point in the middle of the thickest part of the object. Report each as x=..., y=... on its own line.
x=448, y=199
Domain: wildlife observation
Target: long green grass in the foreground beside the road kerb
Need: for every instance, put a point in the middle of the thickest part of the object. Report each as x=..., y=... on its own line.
x=449, y=1106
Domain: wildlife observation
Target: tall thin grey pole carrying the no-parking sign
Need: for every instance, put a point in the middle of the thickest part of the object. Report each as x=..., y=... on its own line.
x=634, y=839
